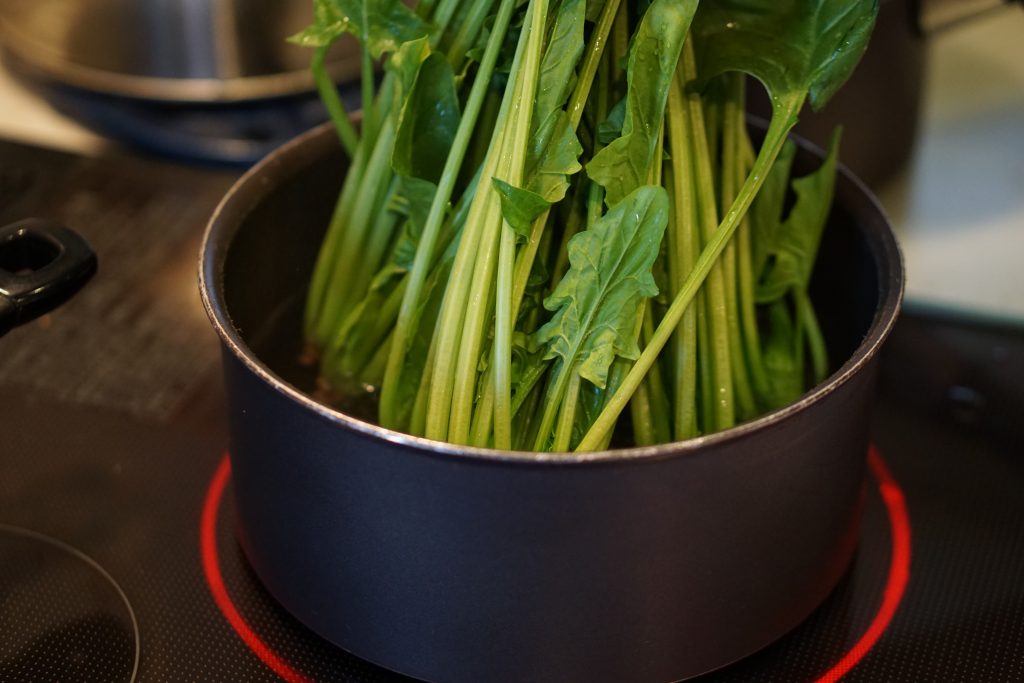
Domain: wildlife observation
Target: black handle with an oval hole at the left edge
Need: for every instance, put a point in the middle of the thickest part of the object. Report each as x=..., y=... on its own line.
x=42, y=265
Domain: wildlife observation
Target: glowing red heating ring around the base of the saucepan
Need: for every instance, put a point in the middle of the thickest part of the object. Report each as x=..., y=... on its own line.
x=900, y=574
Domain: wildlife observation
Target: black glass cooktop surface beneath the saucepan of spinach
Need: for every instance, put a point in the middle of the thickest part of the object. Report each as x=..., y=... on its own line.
x=118, y=560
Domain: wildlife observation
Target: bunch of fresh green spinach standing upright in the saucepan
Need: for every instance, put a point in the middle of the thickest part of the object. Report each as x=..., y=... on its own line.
x=554, y=211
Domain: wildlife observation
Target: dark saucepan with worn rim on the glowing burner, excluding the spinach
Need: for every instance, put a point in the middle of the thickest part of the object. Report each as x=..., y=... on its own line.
x=459, y=565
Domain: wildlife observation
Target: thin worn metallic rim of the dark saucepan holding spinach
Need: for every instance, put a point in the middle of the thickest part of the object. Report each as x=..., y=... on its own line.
x=294, y=156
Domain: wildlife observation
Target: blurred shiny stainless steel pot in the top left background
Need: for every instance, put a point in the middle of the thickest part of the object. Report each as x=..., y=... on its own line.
x=168, y=51
